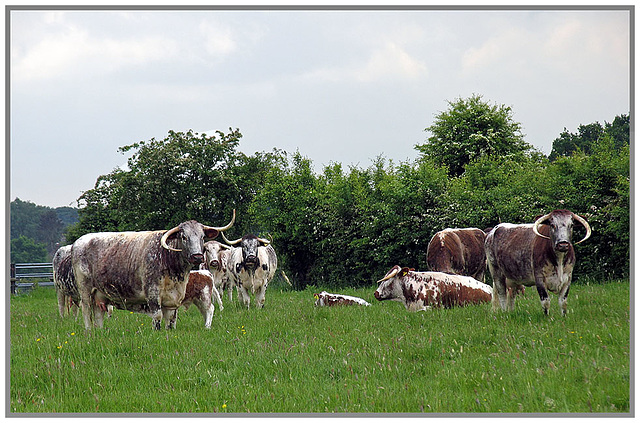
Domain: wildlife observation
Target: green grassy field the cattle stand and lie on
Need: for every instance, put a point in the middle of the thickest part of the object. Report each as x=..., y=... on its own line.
x=292, y=357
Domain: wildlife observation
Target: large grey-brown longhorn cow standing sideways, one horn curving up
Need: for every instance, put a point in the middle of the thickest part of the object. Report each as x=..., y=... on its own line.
x=145, y=272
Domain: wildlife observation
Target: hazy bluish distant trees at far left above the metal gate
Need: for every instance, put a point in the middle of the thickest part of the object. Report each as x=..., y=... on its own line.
x=38, y=231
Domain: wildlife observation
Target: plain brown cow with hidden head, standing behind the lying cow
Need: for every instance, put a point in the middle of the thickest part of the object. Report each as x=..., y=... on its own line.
x=458, y=252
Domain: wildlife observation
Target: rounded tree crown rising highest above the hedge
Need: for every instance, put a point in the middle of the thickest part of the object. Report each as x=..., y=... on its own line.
x=471, y=129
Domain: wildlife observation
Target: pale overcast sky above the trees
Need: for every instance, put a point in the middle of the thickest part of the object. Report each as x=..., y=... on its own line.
x=339, y=86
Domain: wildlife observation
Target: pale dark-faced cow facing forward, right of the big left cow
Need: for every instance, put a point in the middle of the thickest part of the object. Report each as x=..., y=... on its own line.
x=251, y=267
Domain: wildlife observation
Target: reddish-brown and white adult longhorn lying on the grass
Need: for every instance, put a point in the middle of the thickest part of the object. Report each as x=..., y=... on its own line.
x=422, y=290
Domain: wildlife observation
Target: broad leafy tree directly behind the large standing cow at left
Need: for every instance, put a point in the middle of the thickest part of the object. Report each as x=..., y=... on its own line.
x=184, y=176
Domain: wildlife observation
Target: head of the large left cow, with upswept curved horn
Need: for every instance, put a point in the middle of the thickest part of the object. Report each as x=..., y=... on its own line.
x=188, y=238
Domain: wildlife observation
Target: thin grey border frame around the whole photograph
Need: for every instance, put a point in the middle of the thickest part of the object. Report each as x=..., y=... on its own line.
x=310, y=8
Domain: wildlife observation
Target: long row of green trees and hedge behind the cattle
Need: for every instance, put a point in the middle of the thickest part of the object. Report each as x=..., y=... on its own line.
x=347, y=227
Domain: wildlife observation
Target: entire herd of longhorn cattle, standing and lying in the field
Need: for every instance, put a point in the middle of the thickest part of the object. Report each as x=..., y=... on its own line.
x=157, y=272
